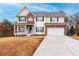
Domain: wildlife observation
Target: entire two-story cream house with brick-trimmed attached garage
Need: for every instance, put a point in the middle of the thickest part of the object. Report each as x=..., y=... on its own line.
x=40, y=23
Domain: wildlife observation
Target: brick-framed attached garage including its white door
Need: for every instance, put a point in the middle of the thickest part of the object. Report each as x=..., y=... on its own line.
x=56, y=29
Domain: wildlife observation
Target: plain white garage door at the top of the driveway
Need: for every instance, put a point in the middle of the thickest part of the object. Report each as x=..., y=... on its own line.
x=55, y=31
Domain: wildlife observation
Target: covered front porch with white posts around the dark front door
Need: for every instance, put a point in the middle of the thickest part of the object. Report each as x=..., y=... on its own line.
x=23, y=29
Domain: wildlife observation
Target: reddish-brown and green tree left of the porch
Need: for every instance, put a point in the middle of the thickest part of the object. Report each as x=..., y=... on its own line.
x=7, y=28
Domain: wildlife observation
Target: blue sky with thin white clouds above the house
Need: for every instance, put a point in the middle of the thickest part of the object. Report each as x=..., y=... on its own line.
x=10, y=10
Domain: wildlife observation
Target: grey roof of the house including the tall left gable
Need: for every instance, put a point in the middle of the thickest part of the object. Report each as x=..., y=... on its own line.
x=42, y=13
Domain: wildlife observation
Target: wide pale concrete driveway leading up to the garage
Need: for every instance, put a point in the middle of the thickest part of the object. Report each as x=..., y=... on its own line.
x=58, y=45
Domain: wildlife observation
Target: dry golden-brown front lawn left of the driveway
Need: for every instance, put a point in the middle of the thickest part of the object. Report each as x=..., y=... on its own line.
x=19, y=46
